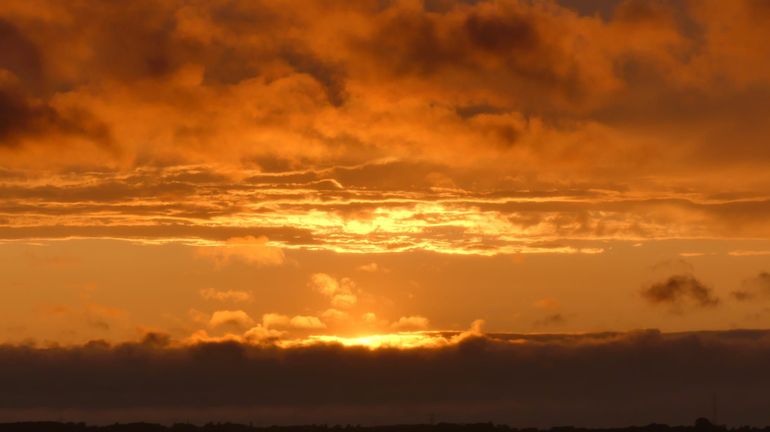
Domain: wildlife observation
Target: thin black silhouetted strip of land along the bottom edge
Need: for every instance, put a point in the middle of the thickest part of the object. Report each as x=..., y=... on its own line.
x=701, y=425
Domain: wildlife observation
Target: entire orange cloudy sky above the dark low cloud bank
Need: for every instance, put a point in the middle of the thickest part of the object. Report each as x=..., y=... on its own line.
x=195, y=167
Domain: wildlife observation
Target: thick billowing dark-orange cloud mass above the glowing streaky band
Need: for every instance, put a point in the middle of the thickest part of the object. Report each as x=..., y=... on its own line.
x=504, y=79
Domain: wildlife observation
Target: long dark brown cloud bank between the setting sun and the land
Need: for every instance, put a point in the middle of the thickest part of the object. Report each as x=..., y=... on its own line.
x=525, y=380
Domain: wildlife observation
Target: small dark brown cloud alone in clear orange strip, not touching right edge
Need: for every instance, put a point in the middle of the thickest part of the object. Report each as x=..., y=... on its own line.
x=679, y=288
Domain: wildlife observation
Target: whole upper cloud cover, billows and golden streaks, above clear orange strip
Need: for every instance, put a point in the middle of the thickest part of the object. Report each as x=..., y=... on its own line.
x=458, y=127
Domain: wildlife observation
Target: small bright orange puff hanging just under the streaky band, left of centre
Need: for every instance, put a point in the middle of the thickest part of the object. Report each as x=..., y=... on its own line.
x=249, y=249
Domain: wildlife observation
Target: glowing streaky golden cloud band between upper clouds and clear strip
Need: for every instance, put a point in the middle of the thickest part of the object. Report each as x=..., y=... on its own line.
x=229, y=220
